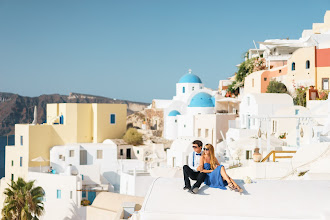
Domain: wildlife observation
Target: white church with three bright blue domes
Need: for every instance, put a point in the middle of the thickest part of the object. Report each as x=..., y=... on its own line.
x=191, y=99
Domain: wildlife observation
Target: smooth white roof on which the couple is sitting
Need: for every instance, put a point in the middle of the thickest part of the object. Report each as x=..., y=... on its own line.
x=267, y=199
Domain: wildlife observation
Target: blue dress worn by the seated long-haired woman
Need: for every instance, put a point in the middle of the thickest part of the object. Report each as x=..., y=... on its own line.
x=214, y=179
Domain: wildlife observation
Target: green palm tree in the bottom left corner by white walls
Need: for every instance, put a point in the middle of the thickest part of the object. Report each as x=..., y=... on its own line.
x=23, y=201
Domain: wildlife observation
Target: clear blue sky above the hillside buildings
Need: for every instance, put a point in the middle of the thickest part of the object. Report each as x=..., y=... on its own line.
x=136, y=49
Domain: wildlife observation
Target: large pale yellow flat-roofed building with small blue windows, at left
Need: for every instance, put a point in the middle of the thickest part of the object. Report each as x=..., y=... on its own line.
x=66, y=123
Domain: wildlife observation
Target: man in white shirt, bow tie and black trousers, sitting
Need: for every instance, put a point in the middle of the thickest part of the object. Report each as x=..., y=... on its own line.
x=190, y=170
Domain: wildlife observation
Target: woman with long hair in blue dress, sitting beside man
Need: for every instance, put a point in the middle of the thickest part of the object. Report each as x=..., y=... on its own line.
x=216, y=174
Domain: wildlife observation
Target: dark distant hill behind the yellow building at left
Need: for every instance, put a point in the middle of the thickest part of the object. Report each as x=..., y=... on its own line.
x=16, y=109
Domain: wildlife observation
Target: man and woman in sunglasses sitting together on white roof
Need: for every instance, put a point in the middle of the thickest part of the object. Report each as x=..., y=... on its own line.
x=203, y=166
